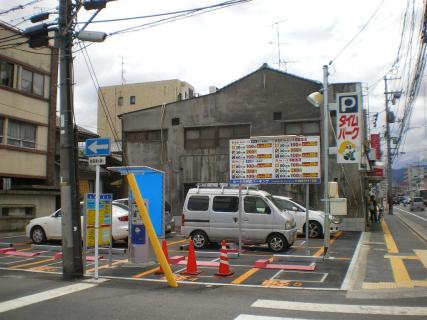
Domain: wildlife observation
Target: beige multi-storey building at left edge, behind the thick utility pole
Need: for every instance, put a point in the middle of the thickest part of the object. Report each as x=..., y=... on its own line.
x=28, y=80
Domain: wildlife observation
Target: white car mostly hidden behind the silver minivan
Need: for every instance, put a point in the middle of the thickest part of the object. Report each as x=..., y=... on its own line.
x=316, y=218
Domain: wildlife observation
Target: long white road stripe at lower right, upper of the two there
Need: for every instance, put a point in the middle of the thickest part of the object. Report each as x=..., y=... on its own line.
x=340, y=308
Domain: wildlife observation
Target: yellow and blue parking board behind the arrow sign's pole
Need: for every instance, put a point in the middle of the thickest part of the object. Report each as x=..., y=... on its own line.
x=105, y=216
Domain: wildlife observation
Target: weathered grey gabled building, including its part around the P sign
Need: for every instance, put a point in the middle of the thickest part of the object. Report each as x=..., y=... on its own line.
x=267, y=102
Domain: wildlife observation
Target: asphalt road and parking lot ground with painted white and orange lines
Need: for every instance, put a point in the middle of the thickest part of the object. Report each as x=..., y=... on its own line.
x=379, y=274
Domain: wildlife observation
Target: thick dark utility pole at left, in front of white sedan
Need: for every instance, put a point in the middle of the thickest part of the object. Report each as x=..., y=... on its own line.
x=71, y=224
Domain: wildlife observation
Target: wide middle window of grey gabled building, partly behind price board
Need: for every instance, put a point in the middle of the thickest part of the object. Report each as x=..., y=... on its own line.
x=212, y=137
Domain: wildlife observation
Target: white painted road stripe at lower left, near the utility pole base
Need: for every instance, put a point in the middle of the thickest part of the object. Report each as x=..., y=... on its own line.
x=43, y=296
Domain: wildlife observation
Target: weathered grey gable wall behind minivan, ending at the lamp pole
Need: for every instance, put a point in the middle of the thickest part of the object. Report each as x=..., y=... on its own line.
x=251, y=102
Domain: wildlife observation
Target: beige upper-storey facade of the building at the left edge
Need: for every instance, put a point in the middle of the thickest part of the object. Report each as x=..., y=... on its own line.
x=32, y=108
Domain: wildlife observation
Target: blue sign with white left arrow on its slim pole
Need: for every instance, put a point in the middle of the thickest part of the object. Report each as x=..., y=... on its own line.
x=97, y=148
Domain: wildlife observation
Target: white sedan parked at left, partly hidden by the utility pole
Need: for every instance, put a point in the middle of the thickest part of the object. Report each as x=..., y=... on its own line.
x=41, y=229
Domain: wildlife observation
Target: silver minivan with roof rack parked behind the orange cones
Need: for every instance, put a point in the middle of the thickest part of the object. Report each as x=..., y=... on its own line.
x=212, y=214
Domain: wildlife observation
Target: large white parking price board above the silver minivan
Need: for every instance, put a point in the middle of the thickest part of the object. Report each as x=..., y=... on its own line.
x=275, y=160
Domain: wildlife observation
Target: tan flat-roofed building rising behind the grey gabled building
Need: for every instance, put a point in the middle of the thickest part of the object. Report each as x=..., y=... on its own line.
x=146, y=95
